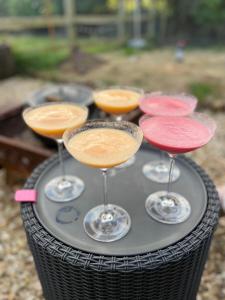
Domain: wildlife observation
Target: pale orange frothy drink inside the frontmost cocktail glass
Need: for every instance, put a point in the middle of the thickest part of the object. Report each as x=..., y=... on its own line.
x=102, y=147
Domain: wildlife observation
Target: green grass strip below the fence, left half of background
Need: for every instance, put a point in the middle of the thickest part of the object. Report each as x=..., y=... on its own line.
x=32, y=53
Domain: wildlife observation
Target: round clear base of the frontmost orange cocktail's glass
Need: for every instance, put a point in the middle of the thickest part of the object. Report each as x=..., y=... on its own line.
x=109, y=225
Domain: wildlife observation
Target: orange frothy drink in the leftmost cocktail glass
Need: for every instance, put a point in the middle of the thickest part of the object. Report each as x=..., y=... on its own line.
x=53, y=119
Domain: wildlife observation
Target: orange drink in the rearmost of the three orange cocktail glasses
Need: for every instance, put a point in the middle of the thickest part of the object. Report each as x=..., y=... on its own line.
x=117, y=101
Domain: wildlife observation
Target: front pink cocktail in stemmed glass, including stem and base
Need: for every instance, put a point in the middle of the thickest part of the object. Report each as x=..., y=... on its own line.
x=174, y=135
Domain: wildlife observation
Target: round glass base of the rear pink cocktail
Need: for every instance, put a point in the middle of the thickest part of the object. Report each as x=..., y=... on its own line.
x=158, y=171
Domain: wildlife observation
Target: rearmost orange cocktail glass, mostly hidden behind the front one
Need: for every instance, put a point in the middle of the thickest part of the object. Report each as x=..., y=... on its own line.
x=118, y=101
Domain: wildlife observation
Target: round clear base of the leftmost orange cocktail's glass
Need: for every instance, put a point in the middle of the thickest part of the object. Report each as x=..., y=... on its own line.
x=64, y=189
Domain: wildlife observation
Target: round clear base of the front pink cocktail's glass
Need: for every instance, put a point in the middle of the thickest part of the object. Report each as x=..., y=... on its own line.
x=172, y=209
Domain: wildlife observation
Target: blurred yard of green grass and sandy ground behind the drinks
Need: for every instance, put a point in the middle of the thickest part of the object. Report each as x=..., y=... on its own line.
x=153, y=69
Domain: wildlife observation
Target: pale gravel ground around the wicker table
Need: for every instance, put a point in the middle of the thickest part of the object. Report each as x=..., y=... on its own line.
x=18, y=279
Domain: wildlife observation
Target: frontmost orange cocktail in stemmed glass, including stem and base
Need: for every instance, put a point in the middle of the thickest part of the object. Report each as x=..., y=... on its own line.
x=104, y=144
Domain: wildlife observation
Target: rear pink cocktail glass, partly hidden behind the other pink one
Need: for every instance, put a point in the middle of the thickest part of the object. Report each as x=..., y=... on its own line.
x=159, y=104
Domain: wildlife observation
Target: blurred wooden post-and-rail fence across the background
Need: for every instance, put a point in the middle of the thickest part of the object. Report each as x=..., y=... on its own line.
x=71, y=19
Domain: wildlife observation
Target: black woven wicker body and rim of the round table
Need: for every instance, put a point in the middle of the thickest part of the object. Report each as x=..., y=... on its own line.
x=171, y=272
